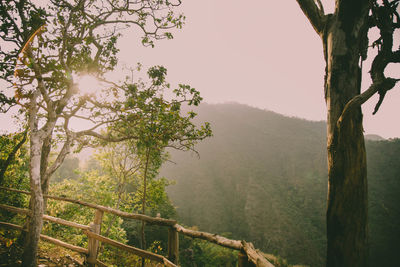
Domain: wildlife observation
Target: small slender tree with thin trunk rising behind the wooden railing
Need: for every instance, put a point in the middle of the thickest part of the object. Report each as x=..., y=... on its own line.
x=161, y=126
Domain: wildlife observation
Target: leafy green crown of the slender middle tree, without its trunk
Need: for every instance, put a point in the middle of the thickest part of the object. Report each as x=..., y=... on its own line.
x=158, y=122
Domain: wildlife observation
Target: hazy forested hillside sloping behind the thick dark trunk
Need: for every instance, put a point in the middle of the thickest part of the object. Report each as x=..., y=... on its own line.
x=263, y=178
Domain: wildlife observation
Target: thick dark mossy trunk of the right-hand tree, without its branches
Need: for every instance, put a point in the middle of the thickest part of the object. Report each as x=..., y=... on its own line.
x=347, y=186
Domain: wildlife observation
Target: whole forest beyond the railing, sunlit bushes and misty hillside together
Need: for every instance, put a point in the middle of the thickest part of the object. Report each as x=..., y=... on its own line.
x=262, y=177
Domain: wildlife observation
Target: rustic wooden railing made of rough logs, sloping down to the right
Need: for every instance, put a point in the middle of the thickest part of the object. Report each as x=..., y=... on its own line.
x=248, y=255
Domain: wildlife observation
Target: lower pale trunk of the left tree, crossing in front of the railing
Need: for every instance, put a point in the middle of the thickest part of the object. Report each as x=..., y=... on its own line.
x=36, y=220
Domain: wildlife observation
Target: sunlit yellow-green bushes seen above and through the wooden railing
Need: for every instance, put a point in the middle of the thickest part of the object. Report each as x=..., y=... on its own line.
x=118, y=184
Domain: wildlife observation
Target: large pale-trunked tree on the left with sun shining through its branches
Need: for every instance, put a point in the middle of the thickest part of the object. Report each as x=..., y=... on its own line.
x=46, y=48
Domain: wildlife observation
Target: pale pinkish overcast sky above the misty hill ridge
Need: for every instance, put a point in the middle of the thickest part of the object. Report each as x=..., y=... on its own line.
x=260, y=53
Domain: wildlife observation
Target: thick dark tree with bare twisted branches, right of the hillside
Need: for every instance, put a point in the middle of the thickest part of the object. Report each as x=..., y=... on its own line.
x=344, y=36
